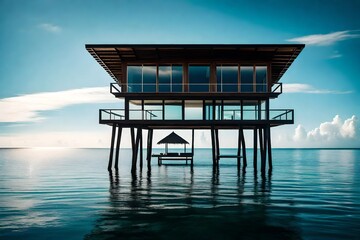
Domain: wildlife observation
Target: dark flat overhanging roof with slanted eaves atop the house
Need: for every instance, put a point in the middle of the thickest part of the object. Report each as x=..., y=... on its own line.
x=111, y=56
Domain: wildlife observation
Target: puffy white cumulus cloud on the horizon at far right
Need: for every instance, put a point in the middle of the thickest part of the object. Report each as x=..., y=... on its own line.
x=337, y=133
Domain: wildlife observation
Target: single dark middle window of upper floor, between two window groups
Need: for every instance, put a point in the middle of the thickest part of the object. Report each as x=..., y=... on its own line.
x=199, y=78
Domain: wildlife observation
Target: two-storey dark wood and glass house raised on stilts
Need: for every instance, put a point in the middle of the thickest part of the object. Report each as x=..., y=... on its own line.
x=196, y=87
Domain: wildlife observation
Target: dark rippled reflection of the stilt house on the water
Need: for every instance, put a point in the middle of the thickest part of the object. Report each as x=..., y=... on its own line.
x=191, y=206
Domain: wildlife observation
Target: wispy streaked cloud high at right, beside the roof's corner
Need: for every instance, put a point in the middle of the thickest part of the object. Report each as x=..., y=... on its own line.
x=326, y=39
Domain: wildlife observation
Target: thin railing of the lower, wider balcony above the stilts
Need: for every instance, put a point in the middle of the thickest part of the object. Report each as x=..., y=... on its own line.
x=225, y=115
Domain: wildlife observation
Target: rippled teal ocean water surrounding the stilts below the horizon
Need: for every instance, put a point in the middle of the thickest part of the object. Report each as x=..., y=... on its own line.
x=69, y=194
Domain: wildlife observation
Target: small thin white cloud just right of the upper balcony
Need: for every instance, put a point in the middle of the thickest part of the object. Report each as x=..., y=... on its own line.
x=306, y=88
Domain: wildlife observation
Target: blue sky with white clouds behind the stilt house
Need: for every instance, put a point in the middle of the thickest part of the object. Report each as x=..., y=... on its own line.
x=51, y=88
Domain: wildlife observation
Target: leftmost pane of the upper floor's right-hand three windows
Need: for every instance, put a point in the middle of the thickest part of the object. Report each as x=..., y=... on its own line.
x=227, y=78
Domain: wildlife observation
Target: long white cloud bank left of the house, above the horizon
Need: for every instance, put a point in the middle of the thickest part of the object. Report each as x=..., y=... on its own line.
x=27, y=108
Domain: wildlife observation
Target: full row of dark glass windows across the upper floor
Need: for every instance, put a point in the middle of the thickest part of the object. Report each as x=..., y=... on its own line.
x=169, y=78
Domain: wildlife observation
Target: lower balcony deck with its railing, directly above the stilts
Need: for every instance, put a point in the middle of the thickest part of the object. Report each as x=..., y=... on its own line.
x=246, y=117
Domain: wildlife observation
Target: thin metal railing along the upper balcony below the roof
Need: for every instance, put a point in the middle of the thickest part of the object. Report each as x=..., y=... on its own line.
x=197, y=87
